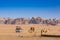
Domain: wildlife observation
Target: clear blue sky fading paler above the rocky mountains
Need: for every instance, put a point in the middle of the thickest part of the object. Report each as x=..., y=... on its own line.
x=30, y=8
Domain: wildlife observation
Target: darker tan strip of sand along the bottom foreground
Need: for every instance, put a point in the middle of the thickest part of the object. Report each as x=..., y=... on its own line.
x=28, y=38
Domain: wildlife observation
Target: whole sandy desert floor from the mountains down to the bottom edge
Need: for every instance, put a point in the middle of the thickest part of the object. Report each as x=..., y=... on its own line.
x=7, y=32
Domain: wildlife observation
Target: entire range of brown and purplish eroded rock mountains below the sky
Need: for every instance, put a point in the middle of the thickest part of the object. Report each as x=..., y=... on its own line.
x=33, y=20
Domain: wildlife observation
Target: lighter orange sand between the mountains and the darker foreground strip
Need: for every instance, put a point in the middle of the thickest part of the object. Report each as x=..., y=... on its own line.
x=10, y=29
